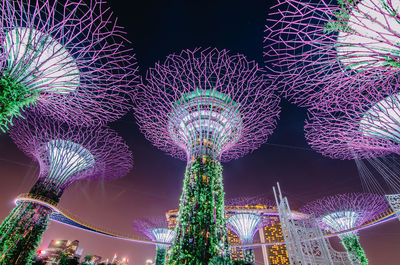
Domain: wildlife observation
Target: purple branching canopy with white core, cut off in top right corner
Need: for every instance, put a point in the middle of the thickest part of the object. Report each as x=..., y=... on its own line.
x=317, y=48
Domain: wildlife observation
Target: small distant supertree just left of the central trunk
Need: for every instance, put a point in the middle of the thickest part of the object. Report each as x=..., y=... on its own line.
x=156, y=229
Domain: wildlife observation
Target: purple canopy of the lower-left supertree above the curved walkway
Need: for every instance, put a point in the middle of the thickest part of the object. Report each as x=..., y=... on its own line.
x=67, y=153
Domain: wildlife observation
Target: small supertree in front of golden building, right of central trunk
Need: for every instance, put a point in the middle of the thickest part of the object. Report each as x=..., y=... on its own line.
x=245, y=220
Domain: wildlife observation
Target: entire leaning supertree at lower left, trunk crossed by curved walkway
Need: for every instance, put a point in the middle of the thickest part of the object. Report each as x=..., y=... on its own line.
x=65, y=154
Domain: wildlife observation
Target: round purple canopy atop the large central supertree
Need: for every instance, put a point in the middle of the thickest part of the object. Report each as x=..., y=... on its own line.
x=207, y=99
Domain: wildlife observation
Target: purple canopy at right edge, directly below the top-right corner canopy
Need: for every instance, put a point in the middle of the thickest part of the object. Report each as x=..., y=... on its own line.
x=366, y=127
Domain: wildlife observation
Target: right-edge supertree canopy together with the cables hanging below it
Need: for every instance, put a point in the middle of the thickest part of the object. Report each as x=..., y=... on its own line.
x=365, y=125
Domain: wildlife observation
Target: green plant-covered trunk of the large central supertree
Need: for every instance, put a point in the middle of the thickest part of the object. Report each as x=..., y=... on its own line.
x=201, y=229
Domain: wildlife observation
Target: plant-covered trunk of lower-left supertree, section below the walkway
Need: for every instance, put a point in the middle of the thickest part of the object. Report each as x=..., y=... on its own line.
x=21, y=233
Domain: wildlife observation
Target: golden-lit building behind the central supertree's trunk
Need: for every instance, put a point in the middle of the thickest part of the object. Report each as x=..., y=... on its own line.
x=271, y=232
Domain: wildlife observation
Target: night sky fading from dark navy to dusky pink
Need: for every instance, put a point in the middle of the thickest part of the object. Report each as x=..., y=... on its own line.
x=156, y=29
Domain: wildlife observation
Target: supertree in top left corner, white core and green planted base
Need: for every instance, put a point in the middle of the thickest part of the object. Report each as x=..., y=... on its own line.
x=67, y=58
